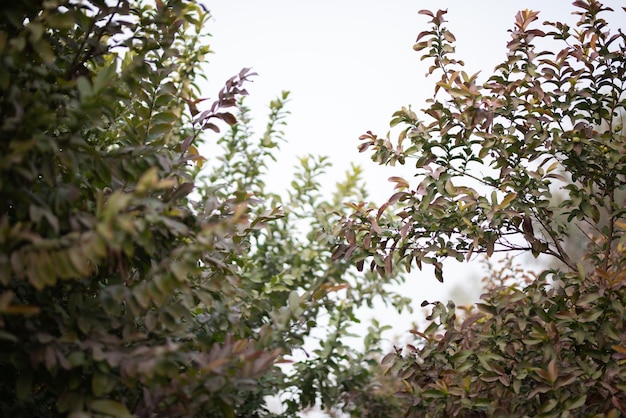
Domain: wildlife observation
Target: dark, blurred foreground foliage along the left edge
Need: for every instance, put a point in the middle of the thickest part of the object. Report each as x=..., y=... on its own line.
x=101, y=252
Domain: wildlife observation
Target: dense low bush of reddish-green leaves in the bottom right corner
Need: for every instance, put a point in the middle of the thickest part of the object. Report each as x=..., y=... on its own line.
x=550, y=348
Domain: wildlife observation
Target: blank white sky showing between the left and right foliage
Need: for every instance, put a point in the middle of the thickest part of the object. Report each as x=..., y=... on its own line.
x=349, y=65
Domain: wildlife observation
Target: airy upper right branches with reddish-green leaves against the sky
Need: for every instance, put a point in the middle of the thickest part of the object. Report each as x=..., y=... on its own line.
x=489, y=157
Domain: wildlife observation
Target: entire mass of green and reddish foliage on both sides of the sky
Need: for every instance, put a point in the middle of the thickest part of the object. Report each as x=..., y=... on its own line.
x=146, y=270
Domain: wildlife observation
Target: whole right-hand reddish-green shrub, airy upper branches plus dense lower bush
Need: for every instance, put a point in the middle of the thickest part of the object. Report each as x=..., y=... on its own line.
x=488, y=159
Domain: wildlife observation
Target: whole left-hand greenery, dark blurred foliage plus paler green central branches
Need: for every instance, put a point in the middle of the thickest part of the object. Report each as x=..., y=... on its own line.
x=133, y=282
